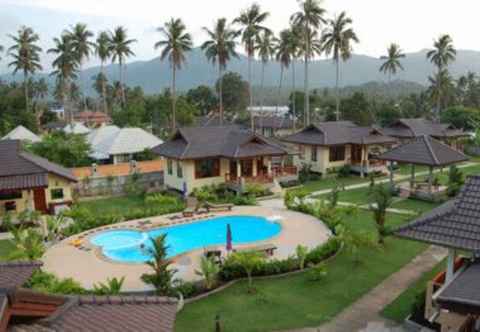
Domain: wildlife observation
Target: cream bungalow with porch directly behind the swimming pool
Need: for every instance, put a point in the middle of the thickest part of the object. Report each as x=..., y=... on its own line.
x=199, y=156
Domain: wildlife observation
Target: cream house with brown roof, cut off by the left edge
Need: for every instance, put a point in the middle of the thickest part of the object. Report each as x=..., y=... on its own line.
x=31, y=182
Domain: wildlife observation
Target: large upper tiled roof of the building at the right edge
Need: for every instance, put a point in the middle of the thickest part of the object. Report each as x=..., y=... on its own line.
x=456, y=224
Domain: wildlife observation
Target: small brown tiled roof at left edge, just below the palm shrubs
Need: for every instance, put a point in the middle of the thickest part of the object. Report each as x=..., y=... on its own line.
x=15, y=274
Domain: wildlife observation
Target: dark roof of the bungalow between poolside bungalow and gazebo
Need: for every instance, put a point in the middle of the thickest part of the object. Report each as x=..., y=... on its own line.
x=337, y=133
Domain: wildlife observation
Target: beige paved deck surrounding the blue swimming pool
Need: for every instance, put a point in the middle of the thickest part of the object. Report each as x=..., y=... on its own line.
x=89, y=266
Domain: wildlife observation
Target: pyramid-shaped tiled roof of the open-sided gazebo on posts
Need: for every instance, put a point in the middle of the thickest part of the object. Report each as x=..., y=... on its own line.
x=424, y=150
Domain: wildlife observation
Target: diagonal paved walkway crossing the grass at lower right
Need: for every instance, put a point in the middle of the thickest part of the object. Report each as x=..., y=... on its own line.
x=364, y=315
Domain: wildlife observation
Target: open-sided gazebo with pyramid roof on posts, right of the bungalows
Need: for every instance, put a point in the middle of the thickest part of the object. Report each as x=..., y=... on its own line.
x=424, y=151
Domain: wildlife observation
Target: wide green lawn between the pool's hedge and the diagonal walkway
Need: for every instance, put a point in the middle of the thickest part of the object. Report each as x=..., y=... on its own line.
x=295, y=301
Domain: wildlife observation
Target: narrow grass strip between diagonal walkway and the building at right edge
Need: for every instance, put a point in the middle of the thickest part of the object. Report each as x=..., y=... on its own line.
x=401, y=307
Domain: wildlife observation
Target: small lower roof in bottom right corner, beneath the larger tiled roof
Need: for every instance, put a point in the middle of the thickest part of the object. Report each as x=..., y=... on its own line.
x=462, y=295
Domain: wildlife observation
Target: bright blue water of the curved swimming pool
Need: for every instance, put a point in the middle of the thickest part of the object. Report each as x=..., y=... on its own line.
x=126, y=245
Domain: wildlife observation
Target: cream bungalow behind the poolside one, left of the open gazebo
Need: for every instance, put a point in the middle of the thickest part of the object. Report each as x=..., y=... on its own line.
x=327, y=146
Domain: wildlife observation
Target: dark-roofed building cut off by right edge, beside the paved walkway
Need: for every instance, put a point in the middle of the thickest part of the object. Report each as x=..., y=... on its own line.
x=453, y=297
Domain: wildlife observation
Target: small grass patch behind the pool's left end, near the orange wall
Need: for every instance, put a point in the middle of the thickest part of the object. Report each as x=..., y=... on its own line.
x=119, y=205
